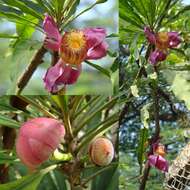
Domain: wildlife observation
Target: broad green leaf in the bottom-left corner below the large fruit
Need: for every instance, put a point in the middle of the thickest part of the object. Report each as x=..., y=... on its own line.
x=29, y=182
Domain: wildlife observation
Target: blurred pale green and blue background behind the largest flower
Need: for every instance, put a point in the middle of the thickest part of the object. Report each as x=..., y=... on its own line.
x=16, y=53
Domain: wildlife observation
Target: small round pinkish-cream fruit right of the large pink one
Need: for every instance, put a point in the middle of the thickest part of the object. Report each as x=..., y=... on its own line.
x=101, y=151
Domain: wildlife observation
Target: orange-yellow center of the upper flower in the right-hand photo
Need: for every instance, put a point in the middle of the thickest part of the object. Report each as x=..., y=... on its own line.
x=162, y=40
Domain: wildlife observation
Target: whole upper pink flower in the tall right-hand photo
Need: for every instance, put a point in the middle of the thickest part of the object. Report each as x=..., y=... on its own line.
x=162, y=41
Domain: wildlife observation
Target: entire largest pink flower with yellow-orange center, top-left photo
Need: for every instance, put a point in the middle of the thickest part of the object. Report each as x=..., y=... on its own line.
x=74, y=47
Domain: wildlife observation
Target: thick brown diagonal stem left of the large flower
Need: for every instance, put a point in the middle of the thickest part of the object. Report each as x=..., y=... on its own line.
x=29, y=71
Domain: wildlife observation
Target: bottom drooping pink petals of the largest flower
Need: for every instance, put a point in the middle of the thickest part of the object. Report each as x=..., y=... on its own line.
x=61, y=74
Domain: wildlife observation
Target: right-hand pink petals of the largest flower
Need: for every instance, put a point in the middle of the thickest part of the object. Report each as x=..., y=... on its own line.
x=97, y=47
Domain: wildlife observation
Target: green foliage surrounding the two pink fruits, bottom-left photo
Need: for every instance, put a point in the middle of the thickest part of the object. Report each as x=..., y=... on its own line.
x=99, y=116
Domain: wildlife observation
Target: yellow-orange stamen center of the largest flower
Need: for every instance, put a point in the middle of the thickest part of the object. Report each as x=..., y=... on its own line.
x=73, y=47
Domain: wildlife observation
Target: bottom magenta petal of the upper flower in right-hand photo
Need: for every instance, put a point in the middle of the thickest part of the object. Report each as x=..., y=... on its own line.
x=157, y=56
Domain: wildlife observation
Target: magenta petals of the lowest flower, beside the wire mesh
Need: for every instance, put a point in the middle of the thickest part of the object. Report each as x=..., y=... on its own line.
x=159, y=162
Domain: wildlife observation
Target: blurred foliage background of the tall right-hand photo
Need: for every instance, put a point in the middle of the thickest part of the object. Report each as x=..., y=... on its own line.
x=173, y=80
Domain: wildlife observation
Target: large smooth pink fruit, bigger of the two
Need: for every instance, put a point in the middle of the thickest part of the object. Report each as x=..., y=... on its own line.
x=37, y=140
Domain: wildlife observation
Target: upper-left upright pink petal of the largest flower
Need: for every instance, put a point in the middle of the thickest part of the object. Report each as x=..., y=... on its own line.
x=53, y=37
